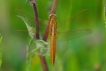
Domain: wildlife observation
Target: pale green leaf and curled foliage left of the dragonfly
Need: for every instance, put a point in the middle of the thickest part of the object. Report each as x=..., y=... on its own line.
x=41, y=46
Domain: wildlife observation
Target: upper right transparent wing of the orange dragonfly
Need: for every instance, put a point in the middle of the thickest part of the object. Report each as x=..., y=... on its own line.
x=75, y=20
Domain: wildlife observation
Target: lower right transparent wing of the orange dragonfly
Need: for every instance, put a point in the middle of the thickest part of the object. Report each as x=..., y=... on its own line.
x=69, y=35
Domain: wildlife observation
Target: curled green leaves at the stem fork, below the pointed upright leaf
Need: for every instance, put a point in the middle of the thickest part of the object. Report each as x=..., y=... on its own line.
x=41, y=49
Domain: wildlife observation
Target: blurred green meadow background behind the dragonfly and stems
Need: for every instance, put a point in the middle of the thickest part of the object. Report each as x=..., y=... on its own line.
x=81, y=54
